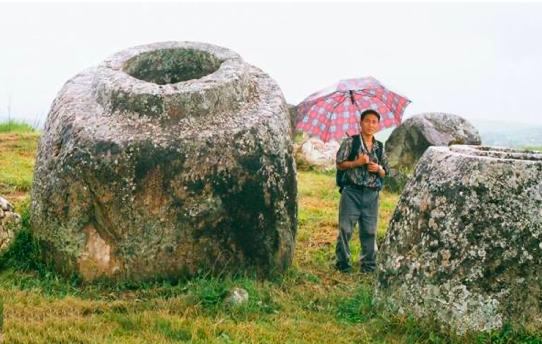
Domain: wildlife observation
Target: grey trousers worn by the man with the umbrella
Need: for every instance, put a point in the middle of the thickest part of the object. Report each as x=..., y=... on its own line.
x=359, y=206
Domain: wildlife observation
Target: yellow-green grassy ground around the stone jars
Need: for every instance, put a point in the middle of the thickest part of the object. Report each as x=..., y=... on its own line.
x=310, y=304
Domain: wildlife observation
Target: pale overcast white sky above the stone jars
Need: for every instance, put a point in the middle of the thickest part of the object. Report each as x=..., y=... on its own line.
x=480, y=61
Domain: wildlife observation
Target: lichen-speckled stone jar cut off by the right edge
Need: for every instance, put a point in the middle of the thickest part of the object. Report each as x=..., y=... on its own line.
x=464, y=244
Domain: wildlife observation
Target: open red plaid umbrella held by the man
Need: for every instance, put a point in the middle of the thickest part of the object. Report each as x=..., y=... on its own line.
x=335, y=111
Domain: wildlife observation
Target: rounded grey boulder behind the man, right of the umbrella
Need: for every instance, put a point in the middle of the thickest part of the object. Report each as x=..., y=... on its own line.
x=409, y=141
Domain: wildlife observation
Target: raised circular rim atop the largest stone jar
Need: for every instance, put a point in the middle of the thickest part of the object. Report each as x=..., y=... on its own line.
x=220, y=91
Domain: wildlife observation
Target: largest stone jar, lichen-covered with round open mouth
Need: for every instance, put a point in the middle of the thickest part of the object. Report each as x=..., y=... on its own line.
x=164, y=161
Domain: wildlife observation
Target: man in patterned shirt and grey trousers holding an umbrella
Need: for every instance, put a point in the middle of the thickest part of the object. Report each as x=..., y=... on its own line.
x=362, y=180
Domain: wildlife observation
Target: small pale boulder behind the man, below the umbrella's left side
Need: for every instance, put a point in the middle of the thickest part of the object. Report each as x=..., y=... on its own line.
x=313, y=154
